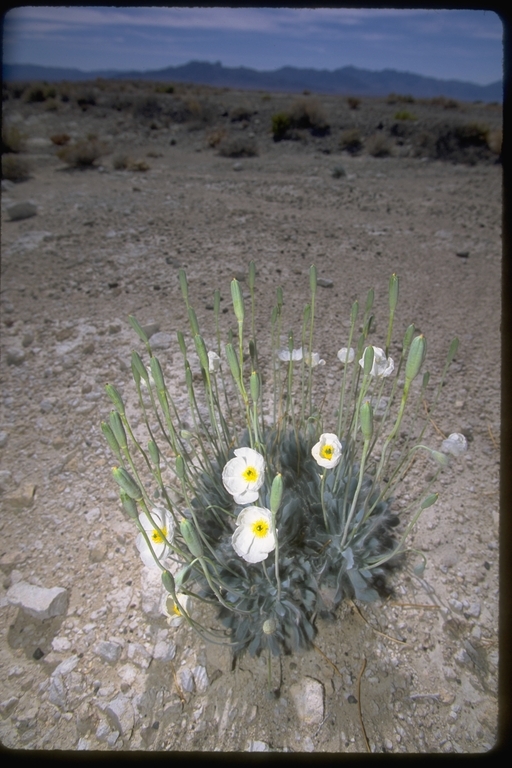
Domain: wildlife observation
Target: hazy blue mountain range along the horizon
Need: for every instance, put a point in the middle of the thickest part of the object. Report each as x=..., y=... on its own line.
x=344, y=81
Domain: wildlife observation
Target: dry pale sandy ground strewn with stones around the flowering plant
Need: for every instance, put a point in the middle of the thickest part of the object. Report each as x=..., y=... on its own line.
x=417, y=673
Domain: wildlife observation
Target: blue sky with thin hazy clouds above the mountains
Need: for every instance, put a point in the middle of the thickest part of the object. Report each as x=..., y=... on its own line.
x=461, y=45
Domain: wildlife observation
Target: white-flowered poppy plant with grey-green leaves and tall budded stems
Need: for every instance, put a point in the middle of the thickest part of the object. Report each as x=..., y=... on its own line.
x=259, y=500
